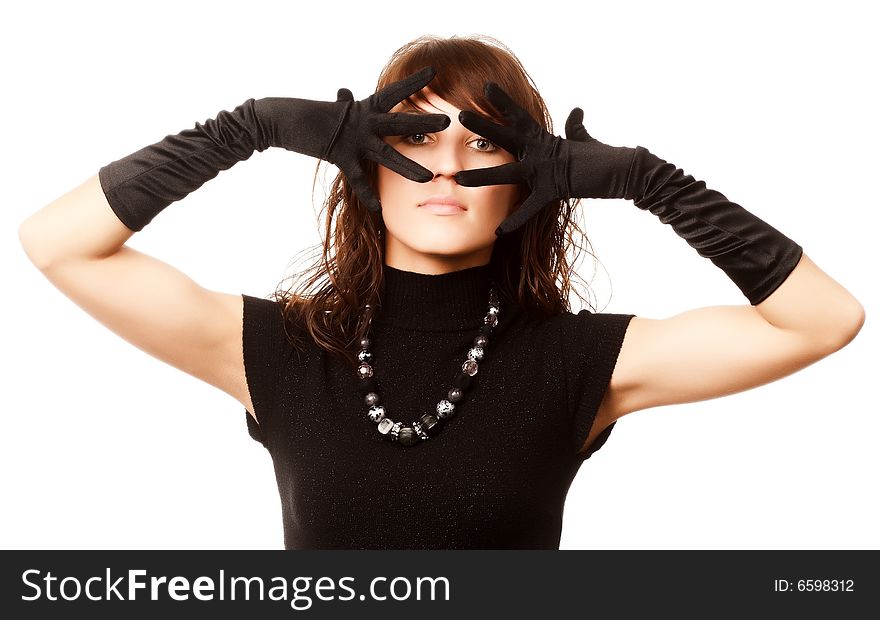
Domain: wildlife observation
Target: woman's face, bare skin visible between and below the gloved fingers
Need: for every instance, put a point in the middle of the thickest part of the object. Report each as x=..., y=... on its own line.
x=417, y=239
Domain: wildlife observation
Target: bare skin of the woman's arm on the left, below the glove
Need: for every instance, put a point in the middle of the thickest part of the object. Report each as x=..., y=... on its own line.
x=78, y=243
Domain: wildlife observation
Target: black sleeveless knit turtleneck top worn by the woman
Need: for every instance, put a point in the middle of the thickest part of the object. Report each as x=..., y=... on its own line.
x=497, y=473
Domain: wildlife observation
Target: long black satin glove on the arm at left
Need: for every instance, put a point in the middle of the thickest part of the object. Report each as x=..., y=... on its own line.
x=138, y=187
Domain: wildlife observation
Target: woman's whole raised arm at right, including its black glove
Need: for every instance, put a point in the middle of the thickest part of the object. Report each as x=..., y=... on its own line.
x=797, y=313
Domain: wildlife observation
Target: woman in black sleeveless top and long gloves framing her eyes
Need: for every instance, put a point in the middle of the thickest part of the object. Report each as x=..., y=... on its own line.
x=436, y=391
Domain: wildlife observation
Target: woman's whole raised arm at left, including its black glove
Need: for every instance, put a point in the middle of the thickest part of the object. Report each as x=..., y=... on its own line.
x=78, y=241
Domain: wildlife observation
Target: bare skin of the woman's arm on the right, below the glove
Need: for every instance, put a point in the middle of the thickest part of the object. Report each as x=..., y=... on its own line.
x=709, y=352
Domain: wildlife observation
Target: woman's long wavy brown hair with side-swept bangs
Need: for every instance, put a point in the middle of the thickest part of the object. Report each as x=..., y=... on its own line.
x=532, y=262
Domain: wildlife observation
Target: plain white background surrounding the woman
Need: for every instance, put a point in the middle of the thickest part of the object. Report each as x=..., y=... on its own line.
x=773, y=104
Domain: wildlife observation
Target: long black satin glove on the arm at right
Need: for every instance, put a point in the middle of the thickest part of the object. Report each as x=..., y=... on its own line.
x=754, y=255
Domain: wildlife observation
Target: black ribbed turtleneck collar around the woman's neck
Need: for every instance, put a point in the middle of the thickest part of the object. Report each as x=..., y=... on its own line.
x=426, y=302
